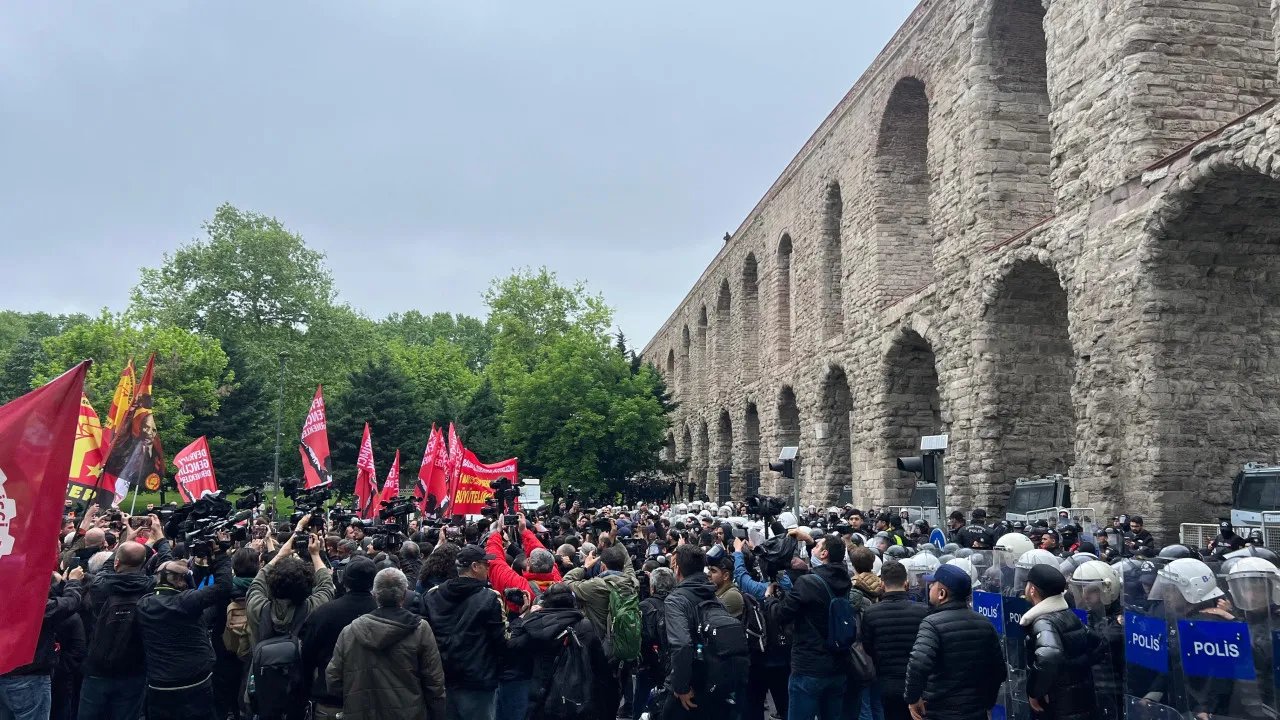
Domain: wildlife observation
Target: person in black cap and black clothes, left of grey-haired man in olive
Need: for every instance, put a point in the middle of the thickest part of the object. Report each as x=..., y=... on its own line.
x=321, y=631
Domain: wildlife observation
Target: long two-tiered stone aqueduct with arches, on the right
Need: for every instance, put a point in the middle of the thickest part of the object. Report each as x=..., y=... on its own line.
x=1049, y=230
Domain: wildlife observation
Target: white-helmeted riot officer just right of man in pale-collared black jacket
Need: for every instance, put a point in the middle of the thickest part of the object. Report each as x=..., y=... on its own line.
x=1096, y=593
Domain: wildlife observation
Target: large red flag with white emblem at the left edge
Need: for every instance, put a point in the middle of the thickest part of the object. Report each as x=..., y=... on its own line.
x=38, y=438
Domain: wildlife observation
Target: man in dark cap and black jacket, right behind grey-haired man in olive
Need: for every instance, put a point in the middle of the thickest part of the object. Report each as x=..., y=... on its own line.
x=472, y=626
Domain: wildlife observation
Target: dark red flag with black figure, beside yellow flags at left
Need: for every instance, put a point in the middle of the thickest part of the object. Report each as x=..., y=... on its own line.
x=136, y=457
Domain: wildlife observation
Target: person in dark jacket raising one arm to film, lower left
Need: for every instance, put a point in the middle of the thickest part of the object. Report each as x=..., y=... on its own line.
x=180, y=657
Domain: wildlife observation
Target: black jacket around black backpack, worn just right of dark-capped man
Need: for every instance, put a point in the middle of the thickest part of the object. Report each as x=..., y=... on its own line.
x=541, y=640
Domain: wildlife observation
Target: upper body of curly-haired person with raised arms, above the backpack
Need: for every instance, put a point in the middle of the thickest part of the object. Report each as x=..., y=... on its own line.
x=289, y=585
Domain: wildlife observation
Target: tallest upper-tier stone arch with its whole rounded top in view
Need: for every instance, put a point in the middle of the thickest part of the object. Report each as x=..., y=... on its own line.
x=904, y=238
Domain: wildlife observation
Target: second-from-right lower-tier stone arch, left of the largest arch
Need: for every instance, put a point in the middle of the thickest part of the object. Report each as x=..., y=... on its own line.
x=1025, y=347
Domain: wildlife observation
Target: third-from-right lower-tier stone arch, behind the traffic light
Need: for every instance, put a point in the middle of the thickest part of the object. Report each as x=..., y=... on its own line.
x=911, y=408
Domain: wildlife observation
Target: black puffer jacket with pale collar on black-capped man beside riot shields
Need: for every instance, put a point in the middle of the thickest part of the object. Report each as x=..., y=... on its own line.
x=1060, y=654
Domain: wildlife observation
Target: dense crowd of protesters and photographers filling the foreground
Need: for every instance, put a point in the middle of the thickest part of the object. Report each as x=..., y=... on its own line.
x=657, y=612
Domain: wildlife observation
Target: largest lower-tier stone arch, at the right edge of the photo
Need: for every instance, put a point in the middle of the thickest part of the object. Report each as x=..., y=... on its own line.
x=1212, y=331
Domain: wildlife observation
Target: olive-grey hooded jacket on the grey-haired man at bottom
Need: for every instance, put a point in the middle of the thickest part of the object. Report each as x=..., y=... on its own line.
x=387, y=667
